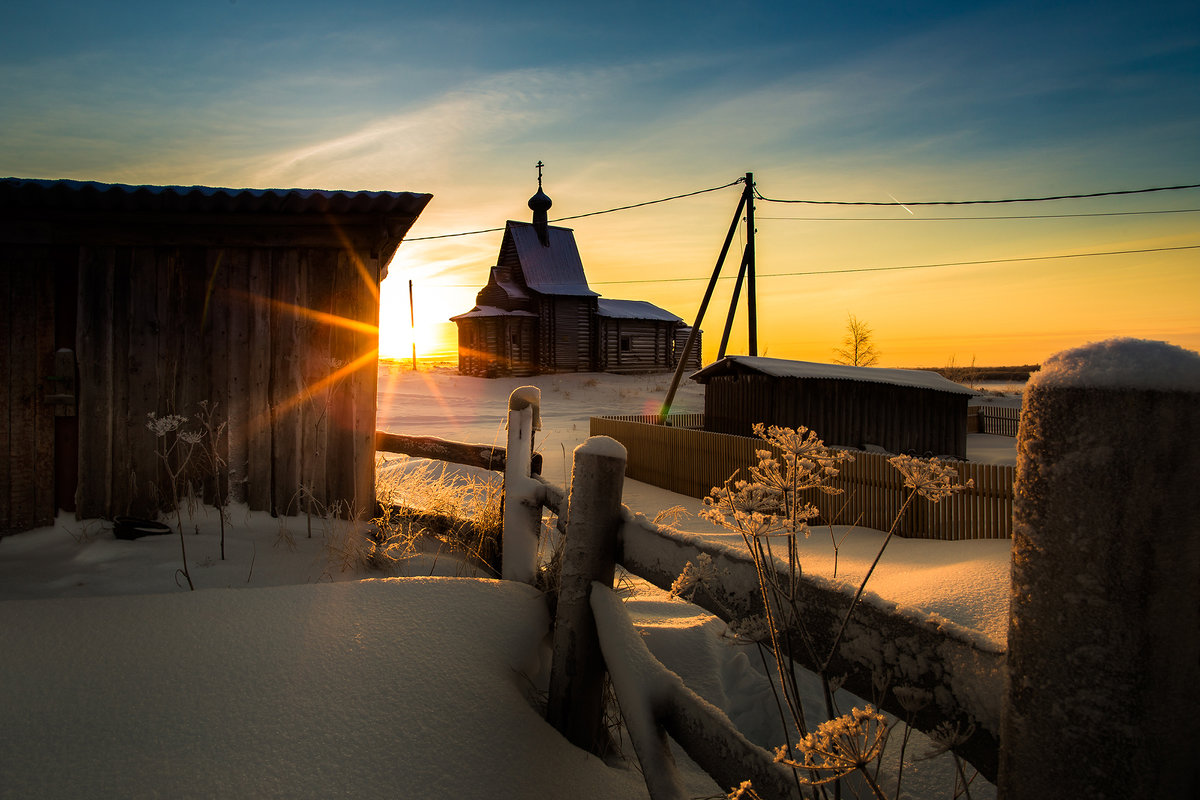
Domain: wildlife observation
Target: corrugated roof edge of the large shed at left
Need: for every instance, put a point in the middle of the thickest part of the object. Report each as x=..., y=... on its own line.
x=27, y=193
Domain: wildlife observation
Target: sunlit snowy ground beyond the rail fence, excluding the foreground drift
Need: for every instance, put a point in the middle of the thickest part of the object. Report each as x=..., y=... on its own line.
x=967, y=582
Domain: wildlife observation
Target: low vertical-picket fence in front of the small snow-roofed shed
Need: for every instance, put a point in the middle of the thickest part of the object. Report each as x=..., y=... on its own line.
x=688, y=461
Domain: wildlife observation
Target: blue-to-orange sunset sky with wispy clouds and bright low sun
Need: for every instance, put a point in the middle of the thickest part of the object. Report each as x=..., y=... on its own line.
x=628, y=103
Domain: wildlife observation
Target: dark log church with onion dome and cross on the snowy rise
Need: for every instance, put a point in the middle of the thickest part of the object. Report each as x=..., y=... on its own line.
x=538, y=315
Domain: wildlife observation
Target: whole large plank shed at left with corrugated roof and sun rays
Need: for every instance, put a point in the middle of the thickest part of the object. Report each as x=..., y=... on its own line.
x=121, y=302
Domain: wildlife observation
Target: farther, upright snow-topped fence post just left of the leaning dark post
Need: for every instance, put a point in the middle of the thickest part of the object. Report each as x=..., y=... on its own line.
x=523, y=509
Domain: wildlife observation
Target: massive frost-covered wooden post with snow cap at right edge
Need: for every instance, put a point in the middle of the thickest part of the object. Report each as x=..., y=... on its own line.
x=1105, y=635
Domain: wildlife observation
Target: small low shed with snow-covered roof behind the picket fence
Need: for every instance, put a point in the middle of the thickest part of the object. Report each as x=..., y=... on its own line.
x=901, y=411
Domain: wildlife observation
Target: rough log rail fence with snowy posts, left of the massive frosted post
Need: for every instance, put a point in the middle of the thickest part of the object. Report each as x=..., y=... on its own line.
x=965, y=676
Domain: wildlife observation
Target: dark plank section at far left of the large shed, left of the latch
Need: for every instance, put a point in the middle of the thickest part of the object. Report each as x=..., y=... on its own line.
x=27, y=364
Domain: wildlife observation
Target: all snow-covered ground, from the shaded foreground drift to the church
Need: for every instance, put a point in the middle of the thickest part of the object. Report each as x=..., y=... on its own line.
x=291, y=673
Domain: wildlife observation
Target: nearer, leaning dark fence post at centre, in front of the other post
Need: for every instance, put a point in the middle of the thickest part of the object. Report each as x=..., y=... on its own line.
x=593, y=518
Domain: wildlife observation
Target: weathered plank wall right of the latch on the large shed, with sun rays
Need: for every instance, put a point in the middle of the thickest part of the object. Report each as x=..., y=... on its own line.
x=161, y=329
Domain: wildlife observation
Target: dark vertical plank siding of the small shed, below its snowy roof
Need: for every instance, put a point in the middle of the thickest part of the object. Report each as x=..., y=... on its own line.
x=899, y=419
